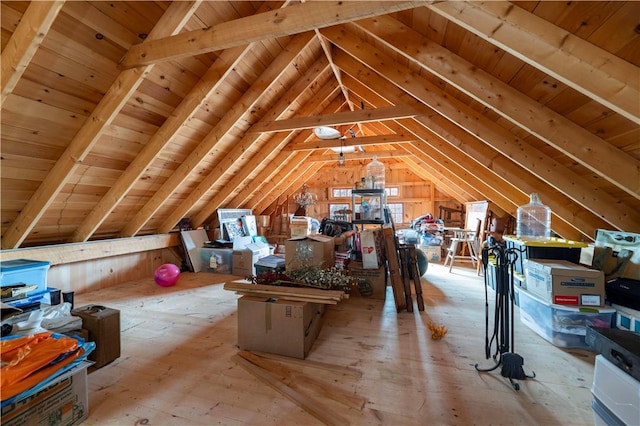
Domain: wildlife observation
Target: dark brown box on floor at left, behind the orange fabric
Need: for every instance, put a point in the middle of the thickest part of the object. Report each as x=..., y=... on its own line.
x=103, y=325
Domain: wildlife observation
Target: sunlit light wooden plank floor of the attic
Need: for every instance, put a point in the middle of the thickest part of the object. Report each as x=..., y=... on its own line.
x=176, y=365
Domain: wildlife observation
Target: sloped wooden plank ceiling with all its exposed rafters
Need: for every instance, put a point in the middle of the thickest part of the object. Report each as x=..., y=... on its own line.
x=120, y=118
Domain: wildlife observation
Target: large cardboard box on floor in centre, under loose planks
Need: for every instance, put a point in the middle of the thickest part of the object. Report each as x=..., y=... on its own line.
x=282, y=327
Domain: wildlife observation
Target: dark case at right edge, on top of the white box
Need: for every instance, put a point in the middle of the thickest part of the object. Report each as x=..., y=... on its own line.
x=620, y=347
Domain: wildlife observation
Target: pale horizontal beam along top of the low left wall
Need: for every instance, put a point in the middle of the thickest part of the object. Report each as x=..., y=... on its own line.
x=80, y=252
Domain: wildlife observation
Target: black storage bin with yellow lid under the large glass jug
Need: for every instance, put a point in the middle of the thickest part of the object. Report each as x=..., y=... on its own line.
x=553, y=248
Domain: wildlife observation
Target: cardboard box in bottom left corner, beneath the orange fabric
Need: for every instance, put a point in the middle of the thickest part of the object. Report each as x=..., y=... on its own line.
x=64, y=401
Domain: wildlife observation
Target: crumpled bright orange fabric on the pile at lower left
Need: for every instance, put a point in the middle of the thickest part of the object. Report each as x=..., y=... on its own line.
x=24, y=360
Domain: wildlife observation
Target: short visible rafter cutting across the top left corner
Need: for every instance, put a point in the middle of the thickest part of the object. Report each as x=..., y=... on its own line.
x=25, y=41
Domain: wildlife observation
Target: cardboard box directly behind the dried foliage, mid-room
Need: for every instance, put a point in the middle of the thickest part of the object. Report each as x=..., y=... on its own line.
x=312, y=250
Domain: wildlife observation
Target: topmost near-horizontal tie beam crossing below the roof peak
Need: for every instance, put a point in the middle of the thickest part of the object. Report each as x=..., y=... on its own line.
x=293, y=19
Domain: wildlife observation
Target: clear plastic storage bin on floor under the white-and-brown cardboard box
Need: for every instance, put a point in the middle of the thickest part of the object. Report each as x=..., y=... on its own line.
x=563, y=326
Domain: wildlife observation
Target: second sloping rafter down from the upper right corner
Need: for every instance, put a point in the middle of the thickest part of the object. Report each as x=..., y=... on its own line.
x=559, y=132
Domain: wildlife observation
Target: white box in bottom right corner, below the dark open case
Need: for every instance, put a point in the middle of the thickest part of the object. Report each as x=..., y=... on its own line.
x=617, y=391
